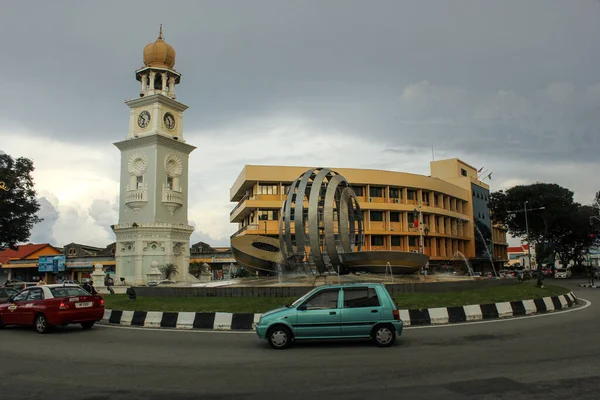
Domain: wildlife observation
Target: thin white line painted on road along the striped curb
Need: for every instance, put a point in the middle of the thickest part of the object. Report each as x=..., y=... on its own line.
x=252, y=332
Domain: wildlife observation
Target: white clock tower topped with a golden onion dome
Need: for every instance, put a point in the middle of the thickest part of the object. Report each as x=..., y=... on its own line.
x=153, y=227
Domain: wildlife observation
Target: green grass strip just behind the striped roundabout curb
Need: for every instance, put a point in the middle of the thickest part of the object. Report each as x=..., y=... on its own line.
x=521, y=291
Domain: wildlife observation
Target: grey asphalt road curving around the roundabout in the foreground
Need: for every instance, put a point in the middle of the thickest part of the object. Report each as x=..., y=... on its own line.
x=550, y=357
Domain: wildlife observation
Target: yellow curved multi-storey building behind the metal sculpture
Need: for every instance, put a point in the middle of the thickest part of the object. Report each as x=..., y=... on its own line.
x=444, y=215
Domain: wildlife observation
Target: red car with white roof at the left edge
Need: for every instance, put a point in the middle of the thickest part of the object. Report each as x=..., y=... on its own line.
x=52, y=305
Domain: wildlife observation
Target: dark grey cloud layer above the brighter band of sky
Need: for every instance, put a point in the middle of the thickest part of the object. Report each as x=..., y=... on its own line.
x=508, y=76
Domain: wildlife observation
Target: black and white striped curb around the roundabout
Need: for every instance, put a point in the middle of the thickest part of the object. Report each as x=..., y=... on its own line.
x=427, y=316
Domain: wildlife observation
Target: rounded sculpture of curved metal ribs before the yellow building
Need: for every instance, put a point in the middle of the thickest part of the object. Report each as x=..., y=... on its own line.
x=308, y=229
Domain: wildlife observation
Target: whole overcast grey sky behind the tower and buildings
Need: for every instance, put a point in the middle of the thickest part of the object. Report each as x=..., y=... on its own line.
x=512, y=86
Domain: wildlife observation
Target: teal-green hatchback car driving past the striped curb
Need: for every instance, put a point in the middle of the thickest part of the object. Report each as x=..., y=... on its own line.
x=345, y=311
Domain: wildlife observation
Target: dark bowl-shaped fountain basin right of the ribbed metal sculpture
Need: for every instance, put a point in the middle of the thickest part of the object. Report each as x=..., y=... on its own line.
x=377, y=261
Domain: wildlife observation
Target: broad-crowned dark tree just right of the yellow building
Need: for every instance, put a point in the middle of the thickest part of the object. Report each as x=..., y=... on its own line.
x=549, y=204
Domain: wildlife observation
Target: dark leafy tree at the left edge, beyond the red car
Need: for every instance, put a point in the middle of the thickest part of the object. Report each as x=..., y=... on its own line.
x=18, y=204
